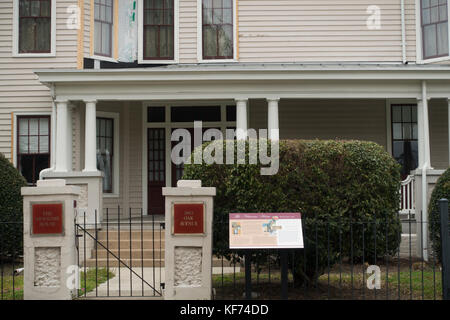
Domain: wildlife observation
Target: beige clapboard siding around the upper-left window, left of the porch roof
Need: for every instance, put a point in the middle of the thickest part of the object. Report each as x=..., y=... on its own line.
x=20, y=90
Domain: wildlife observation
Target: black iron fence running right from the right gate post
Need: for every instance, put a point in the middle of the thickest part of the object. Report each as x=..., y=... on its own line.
x=372, y=259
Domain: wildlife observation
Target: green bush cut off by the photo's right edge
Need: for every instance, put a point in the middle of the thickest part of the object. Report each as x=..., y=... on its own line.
x=441, y=190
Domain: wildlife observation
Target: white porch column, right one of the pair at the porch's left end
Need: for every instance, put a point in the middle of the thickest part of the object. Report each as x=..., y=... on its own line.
x=90, y=140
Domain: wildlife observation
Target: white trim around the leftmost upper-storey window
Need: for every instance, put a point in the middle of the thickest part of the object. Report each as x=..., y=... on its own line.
x=15, y=38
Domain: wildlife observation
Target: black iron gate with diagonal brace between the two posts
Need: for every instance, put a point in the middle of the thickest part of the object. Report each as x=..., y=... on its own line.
x=123, y=256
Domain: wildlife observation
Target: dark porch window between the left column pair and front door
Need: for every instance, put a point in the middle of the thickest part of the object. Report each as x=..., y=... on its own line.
x=105, y=151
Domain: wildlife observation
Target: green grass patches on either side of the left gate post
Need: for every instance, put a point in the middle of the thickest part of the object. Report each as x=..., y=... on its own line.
x=8, y=283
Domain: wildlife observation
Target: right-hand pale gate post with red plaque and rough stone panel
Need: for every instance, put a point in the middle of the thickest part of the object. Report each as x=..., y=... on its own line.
x=188, y=259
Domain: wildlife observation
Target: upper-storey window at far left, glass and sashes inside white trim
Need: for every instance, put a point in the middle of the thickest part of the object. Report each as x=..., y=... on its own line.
x=35, y=26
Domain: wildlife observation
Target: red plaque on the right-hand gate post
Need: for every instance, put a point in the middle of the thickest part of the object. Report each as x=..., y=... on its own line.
x=188, y=218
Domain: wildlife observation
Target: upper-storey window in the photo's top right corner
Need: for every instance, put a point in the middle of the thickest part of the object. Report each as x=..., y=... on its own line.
x=434, y=28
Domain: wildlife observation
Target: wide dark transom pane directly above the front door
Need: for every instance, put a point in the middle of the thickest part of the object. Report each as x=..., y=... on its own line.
x=190, y=114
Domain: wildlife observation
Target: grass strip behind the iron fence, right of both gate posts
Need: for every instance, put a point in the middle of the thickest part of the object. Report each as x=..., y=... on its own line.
x=403, y=284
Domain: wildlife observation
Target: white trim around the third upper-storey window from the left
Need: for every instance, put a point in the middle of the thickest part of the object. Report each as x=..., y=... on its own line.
x=176, y=50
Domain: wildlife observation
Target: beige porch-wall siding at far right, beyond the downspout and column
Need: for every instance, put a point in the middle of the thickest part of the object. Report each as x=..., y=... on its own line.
x=438, y=111
